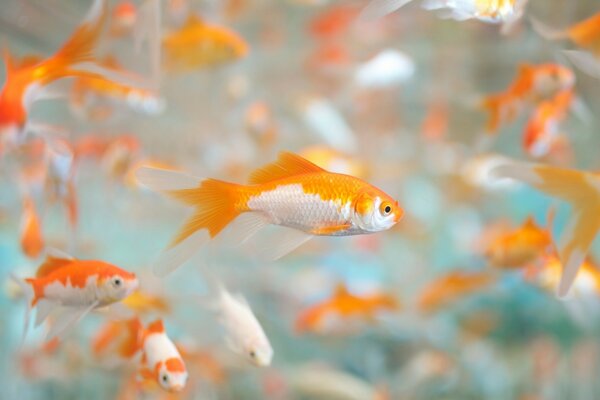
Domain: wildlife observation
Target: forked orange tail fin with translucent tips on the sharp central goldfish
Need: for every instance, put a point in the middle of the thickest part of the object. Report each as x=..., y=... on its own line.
x=215, y=209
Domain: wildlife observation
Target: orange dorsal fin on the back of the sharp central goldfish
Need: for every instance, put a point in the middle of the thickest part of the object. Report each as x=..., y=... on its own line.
x=288, y=164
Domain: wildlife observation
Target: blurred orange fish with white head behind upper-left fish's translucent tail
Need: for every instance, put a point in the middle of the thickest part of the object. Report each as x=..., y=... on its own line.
x=87, y=88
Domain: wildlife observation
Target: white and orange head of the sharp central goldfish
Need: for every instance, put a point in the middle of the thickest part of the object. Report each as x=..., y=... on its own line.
x=375, y=211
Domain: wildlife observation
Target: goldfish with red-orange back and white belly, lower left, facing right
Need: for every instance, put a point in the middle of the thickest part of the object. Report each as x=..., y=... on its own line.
x=79, y=285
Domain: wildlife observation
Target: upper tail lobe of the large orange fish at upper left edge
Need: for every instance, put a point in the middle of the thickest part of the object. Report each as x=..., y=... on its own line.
x=80, y=45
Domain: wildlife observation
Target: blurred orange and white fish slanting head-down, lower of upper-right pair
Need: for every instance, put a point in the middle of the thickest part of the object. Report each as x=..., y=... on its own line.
x=542, y=131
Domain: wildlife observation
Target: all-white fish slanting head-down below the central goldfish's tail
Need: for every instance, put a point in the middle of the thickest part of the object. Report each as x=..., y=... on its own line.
x=244, y=334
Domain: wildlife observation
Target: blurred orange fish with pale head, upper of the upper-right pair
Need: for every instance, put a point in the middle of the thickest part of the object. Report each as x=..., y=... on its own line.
x=533, y=83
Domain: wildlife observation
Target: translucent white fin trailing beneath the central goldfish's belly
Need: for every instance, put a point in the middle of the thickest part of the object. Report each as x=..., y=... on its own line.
x=284, y=242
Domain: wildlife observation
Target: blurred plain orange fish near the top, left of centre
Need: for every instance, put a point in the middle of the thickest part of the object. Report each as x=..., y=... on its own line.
x=198, y=44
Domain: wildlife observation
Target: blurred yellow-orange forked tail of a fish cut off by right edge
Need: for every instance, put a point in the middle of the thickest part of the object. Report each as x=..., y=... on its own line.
x=579, y=188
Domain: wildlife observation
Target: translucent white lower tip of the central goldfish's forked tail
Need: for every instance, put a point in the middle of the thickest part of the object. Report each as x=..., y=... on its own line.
x=182, y=252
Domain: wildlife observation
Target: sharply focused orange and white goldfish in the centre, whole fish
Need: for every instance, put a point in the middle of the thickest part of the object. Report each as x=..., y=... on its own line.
x=292, y=192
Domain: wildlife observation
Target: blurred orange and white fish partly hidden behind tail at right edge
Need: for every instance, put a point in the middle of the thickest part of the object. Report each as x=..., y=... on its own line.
x=548, y=274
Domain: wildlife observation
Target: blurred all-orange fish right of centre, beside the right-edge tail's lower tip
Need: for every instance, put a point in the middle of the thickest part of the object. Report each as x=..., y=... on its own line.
x=520, y=247
